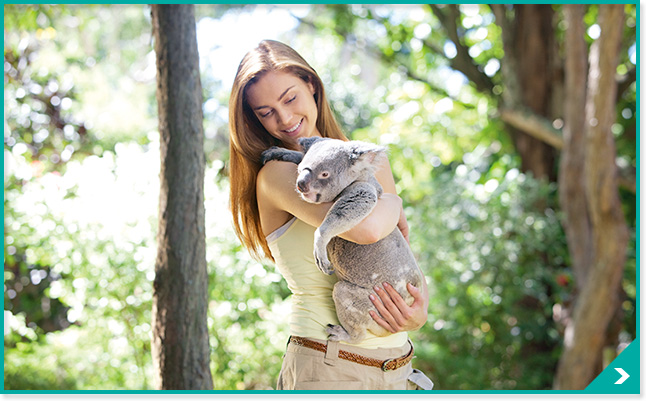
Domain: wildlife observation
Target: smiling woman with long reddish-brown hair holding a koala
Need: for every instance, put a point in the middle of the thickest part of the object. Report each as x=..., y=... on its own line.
x=276, y=99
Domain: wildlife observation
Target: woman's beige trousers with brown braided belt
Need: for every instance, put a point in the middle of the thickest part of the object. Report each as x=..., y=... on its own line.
x=308, y=369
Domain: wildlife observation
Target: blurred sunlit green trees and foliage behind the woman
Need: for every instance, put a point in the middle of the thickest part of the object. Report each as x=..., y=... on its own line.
x=471, y=101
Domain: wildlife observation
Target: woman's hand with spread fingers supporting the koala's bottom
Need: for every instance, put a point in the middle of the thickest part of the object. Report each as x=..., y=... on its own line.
x=394, y=314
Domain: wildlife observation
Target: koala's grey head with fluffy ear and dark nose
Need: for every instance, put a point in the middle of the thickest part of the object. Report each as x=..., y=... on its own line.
x=330, y=165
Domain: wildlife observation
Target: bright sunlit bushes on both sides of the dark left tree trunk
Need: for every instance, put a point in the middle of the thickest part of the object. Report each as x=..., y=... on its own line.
x=104, y=268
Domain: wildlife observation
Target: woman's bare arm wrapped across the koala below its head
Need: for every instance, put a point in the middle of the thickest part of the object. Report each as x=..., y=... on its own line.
x=275, y=189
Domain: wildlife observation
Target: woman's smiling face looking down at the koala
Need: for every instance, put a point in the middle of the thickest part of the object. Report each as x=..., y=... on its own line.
x=285, y=106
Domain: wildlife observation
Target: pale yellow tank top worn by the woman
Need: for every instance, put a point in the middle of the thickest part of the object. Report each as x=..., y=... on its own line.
x=292, y=247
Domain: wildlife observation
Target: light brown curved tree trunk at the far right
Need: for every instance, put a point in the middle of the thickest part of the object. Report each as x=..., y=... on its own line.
x=598, y=300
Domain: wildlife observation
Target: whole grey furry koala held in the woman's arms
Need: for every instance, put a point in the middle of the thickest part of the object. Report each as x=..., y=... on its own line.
x=343, y=172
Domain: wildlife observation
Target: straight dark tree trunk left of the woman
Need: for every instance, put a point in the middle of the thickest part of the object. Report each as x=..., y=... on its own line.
x=180, y=344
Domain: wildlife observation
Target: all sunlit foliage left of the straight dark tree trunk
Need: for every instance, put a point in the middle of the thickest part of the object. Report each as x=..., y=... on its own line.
x=67, y=71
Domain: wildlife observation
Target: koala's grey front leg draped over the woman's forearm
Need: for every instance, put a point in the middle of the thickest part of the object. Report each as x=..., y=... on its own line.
x=351, y=207
